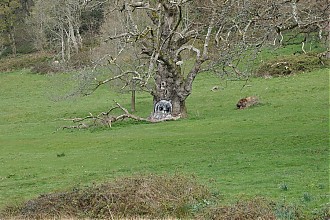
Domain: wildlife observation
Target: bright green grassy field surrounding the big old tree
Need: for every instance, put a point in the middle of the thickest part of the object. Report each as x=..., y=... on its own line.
x=278, y=150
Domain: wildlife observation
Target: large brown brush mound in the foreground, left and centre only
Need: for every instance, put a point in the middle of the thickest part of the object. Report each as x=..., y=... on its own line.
x=148, y=196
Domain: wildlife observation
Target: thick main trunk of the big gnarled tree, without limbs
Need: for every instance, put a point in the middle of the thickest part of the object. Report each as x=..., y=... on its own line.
x=169, y=81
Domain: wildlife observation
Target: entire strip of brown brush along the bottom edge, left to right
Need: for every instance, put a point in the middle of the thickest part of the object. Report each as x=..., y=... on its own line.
x=151, y=197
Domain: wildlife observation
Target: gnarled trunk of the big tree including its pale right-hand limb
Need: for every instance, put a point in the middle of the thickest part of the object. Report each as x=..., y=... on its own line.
x=171, y=84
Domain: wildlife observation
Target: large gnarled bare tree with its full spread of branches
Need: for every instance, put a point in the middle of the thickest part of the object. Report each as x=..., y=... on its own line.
x=163, y=45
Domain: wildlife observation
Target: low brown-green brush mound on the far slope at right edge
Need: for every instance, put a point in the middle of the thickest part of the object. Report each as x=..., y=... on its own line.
x=293, y=64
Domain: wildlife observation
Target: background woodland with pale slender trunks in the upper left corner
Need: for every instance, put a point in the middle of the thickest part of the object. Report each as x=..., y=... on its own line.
x=33, y=25
